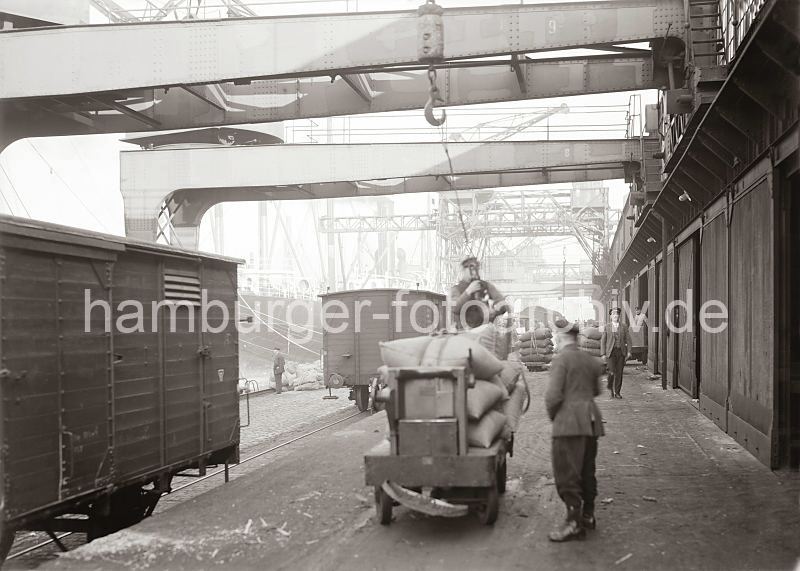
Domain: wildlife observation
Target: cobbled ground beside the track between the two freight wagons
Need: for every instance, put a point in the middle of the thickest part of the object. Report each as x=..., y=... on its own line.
x=274, y=414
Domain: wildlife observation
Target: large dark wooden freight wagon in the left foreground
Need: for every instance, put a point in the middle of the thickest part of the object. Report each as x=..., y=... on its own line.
x=98, y=413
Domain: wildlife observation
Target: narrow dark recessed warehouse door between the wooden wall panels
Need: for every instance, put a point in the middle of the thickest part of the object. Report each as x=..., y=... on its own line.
x=686, y=321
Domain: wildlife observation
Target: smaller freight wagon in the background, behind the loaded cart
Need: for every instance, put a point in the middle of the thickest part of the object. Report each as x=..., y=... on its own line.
x=355, y=321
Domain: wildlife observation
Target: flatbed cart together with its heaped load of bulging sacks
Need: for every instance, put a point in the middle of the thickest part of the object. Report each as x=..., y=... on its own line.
x=451, y=422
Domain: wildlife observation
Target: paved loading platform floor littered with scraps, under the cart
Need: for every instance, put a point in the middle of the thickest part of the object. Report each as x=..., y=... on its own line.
x=676, y=493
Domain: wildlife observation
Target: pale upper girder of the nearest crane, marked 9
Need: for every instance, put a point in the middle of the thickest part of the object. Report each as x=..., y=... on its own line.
x=86, y=59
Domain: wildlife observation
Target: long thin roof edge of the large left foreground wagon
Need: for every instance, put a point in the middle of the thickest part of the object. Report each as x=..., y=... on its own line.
x=36, y=229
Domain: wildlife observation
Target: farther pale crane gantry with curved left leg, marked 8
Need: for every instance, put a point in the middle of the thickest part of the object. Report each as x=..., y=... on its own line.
x=192, y=180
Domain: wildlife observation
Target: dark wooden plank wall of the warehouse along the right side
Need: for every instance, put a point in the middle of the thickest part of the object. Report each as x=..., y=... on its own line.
x=728, y=256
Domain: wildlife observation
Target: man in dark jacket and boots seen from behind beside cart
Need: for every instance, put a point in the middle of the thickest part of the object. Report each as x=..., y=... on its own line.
x=577, y=424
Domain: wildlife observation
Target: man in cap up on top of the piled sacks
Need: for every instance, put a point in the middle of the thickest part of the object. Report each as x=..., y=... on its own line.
x=474, y=301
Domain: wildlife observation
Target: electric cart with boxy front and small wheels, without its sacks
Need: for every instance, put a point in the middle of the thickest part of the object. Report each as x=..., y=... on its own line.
x=426, y=463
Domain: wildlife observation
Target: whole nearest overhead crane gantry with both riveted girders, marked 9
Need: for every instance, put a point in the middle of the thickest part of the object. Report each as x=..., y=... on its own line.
x=199, y=73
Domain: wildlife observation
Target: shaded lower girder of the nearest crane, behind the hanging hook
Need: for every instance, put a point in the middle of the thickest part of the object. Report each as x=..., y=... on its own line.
x=310, y=97
